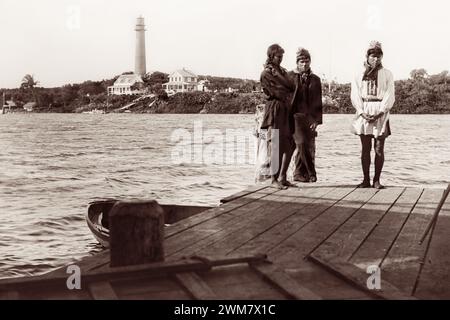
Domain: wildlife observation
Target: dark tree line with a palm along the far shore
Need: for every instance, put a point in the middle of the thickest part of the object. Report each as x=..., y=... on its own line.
x=421, y=93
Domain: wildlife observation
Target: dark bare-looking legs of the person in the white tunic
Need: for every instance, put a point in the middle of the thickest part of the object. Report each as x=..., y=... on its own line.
x=366, y=144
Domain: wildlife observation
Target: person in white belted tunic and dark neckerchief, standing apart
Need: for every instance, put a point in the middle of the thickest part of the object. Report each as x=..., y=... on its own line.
x=372, y=95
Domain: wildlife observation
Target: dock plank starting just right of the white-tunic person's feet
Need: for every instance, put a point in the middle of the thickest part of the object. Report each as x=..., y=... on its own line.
x=349, y=237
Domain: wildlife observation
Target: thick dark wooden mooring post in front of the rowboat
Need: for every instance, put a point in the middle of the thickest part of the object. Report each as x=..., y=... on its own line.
x=136, y=233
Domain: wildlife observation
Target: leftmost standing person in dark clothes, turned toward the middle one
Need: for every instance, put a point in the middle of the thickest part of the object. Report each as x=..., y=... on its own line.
x=278, y=119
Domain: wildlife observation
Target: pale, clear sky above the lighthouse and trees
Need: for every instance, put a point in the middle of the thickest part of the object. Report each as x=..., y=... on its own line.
x=71, y=41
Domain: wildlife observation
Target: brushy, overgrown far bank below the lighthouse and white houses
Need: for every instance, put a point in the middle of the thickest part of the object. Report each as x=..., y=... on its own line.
x=418, y=95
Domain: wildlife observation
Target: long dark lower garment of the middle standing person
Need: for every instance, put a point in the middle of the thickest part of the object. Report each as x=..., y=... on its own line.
x=305, y=141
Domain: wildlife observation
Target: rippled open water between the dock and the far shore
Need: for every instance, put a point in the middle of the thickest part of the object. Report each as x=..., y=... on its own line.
x=53, y=165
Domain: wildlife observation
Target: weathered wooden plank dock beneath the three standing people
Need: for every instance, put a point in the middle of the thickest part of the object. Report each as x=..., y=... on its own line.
x=310, y=242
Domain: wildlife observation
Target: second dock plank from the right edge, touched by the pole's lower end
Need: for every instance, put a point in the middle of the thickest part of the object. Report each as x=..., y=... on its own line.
x=402, y=264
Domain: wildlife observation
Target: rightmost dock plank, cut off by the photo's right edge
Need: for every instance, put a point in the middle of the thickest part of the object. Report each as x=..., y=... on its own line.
x=434, y=281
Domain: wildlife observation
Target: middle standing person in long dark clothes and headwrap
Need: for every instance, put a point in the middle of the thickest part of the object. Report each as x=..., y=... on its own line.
x=307, y=108
